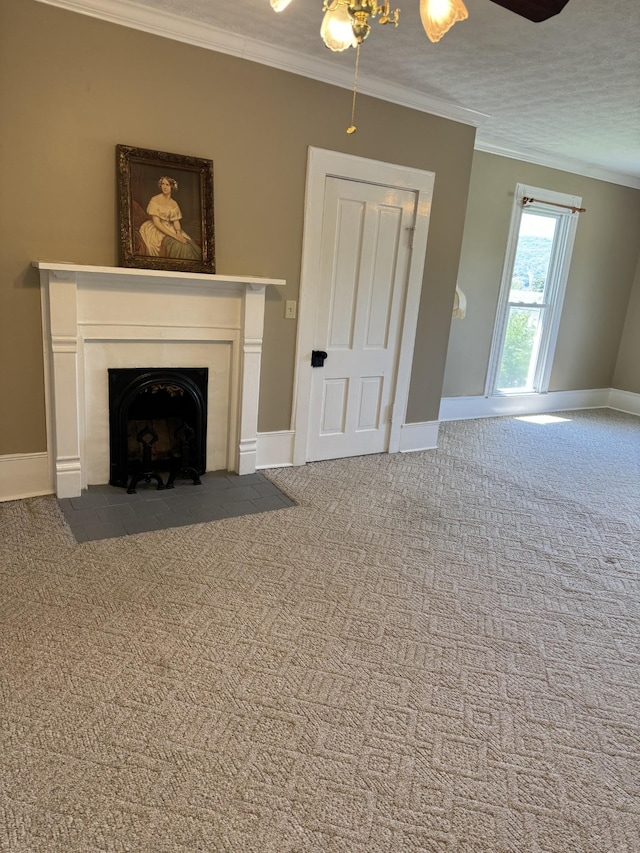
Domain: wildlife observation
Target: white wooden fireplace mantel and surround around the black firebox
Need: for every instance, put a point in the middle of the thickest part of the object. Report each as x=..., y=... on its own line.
x=100, y=317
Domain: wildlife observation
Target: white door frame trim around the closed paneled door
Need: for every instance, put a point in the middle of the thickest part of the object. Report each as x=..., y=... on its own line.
x=322, y=164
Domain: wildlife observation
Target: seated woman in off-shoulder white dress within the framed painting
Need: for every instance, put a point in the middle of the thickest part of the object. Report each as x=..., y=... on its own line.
x=164, y=225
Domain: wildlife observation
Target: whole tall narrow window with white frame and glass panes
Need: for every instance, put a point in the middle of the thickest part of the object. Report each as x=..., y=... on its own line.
x=533, y=284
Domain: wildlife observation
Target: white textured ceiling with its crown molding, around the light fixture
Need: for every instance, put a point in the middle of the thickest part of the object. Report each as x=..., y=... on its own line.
x=565, y=92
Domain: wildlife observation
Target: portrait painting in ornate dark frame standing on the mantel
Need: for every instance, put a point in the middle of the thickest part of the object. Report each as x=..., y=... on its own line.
x=165, y=204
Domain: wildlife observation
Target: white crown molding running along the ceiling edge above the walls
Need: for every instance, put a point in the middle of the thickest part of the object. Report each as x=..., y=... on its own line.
x=127, y=13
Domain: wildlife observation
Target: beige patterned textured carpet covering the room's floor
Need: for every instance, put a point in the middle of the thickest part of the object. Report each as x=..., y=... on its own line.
x=433, y=652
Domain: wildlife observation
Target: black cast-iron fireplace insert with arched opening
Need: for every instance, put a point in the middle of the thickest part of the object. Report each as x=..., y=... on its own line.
x=157, y=425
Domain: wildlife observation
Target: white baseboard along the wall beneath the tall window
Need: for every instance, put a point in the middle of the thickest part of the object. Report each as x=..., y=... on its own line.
x=461, y=408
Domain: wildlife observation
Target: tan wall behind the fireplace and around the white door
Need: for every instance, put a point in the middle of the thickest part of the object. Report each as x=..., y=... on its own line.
x=73, y=87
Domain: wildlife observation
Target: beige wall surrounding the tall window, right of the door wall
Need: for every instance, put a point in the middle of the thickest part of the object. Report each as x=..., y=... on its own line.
x=600, y=279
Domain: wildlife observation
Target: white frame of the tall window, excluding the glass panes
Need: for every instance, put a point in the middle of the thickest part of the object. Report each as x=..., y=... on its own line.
x=554, y=293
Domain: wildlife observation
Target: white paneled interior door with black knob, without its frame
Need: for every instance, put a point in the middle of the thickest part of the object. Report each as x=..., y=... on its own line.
x=365, y=254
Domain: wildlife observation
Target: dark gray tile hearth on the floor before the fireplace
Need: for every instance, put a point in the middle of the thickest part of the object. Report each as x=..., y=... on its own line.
x=104, y=512
